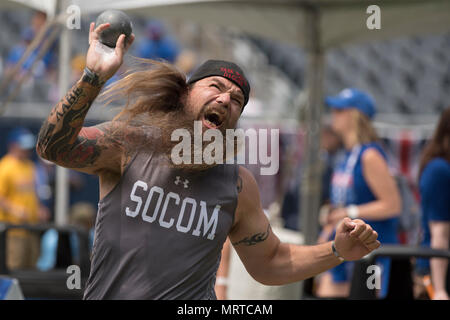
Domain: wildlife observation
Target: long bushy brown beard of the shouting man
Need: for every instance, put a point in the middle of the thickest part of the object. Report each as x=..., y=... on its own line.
x=166, y=122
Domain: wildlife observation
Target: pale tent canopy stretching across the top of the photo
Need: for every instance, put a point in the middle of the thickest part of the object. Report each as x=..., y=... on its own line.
x=341, y=21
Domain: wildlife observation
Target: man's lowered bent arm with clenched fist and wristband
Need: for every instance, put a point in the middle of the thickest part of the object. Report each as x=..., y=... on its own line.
x=272, y=262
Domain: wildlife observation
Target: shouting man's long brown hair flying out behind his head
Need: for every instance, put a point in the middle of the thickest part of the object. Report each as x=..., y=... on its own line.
x=155, y=95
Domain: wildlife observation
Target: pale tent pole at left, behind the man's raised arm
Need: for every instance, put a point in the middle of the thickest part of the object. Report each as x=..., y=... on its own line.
x=61, y=183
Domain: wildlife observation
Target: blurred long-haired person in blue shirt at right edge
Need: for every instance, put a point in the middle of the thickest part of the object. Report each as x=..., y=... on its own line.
x=434, y=184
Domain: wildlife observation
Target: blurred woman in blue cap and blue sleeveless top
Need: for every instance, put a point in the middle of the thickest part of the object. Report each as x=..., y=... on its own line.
x=361, y=187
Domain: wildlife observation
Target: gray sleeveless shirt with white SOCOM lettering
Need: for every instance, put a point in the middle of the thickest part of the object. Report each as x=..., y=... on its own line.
x=160, y=231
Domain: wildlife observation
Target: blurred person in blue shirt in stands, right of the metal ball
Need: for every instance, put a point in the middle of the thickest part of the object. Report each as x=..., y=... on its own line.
x=158, y=43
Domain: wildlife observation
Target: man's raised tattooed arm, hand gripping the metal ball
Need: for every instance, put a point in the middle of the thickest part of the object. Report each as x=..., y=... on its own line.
x=62, y=138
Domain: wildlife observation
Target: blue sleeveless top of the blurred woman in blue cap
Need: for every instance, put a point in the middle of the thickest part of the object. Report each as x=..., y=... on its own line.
x=358, y=192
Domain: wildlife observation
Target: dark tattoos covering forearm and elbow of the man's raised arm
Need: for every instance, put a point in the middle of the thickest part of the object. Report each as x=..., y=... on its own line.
x=59, y=138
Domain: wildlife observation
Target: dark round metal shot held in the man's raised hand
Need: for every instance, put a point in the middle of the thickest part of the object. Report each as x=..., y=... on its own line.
x=119, y=22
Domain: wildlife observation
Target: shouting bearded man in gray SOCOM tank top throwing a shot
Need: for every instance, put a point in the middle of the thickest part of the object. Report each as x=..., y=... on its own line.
x=161, y=226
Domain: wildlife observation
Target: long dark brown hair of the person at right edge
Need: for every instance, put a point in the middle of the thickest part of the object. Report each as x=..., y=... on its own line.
x=439, y=145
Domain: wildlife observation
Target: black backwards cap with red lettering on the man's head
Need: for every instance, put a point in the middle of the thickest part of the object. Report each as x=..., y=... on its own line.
x=226, y=69
